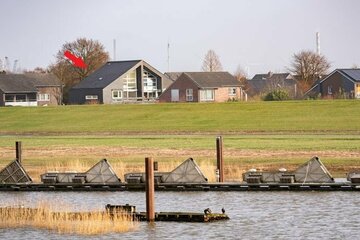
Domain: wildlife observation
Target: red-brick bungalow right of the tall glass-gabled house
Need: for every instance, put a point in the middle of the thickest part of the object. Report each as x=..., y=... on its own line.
x=202, y=87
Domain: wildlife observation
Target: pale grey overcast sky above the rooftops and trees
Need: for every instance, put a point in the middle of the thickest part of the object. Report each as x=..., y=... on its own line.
x=258, y=35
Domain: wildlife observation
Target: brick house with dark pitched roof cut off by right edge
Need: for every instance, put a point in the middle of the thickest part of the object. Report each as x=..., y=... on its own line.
x=344, y=83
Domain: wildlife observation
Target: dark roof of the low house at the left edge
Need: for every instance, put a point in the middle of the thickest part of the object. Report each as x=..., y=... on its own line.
x=26, y=82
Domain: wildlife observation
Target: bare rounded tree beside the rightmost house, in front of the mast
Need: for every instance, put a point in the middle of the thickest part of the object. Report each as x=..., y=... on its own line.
x=309, y=66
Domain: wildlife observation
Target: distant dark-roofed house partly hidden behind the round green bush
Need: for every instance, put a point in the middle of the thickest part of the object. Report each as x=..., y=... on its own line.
x=264, y=83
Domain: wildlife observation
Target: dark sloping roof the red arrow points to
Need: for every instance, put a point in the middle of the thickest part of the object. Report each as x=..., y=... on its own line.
x=105, y=75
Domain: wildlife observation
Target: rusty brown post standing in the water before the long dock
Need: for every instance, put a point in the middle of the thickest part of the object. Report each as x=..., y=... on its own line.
x=150, y=189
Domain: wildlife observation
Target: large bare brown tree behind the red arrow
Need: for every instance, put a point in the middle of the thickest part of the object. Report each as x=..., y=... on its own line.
x=91, y=51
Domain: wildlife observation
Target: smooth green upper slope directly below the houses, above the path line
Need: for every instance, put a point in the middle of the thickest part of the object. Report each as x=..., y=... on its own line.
x=340, y=116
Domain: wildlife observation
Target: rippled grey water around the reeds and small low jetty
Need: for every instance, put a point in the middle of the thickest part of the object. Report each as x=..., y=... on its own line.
x=254, y=215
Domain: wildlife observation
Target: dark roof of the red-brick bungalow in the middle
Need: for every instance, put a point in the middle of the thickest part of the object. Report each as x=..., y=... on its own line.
x=213, y=79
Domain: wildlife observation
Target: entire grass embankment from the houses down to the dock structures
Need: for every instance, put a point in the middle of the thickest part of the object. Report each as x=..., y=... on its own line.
x=264, y=135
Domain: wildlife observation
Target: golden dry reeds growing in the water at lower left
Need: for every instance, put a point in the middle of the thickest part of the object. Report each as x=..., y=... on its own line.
x=65, y=222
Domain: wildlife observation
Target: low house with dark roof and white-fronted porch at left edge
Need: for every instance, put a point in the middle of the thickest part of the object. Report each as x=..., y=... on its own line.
x=29, y=90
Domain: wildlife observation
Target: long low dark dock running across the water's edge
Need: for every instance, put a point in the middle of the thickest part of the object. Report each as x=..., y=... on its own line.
x=179, y=187
